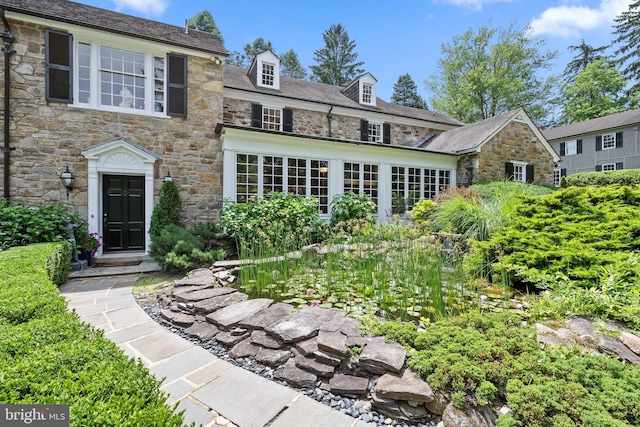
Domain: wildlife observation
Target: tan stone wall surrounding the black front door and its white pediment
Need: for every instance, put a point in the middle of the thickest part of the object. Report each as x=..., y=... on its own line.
x=48, y=136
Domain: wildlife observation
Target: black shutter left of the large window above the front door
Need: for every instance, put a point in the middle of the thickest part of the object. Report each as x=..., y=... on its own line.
x=58, y=66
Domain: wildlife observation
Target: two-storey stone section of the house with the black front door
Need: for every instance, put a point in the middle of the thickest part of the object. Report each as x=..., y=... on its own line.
x=120, y=101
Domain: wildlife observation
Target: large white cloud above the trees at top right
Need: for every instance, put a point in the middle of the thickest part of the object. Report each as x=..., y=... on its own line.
x=571, y=19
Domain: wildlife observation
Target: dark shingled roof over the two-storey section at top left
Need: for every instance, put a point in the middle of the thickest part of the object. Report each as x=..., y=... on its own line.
x=113, y=22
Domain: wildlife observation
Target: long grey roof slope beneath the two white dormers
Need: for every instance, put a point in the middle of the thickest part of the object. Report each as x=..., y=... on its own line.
x=237, y=78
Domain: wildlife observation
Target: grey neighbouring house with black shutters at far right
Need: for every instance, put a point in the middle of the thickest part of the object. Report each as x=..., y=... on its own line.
x=602, y=144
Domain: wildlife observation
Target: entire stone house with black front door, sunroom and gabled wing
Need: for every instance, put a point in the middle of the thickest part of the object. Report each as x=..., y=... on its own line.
x=124, y=102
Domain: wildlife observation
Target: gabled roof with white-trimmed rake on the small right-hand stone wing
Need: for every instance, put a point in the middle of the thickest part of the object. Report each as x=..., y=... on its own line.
x=470, y=138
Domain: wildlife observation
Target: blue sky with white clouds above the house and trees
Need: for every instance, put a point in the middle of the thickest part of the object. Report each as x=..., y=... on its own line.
x=392, y=37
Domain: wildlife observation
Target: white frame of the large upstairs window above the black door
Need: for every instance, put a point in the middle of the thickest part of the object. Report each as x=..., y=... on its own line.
x=95, y=43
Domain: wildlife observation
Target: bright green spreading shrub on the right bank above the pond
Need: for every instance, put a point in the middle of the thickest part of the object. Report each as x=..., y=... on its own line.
x=579, y=245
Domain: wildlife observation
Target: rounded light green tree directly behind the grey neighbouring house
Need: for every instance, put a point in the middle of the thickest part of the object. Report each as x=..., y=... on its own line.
x=597, y=91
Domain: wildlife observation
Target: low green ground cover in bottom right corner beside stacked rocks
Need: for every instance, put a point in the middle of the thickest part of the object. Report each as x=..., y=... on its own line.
x=477, y=359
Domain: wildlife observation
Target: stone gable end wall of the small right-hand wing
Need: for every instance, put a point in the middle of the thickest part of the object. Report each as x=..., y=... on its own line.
x=516, y=142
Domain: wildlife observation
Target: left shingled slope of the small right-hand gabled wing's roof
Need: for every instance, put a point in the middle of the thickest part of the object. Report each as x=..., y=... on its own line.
x=470, y=136
